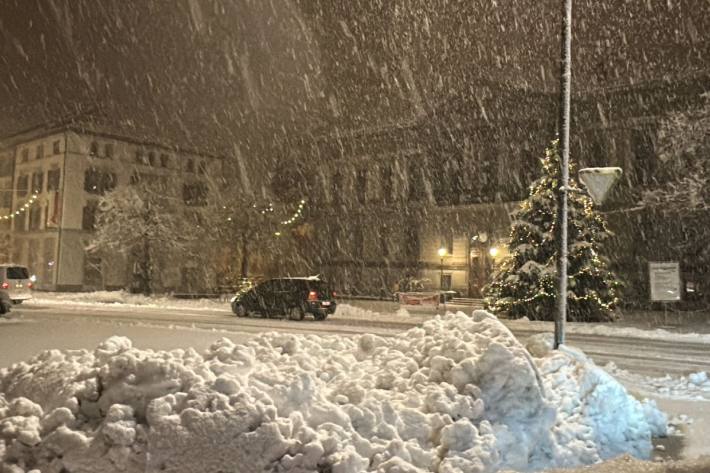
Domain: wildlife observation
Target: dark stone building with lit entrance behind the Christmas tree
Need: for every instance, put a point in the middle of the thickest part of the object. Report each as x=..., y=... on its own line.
x=389, y=198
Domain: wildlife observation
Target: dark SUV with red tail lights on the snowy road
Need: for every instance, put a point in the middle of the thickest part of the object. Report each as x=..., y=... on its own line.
x=292, y=297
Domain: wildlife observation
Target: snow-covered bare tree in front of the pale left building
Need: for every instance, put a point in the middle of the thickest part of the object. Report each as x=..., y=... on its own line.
x=143, y=226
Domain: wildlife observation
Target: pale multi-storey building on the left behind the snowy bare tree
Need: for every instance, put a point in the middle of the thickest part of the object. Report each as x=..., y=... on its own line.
x=51, y=179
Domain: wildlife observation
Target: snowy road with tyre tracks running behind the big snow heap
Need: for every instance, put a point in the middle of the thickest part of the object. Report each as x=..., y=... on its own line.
x=639, y=355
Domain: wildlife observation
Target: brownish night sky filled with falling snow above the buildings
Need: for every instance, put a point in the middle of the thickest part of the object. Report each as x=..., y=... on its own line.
x=215, y=74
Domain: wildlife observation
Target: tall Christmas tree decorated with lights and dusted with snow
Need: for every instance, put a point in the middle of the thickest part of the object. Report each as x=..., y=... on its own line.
x=525, y=285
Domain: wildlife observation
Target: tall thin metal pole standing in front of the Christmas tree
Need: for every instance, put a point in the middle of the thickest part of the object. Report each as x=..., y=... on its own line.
x=564, y=124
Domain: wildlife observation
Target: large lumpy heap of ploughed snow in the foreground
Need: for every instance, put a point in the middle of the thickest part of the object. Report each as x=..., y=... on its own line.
x=458, y=394
